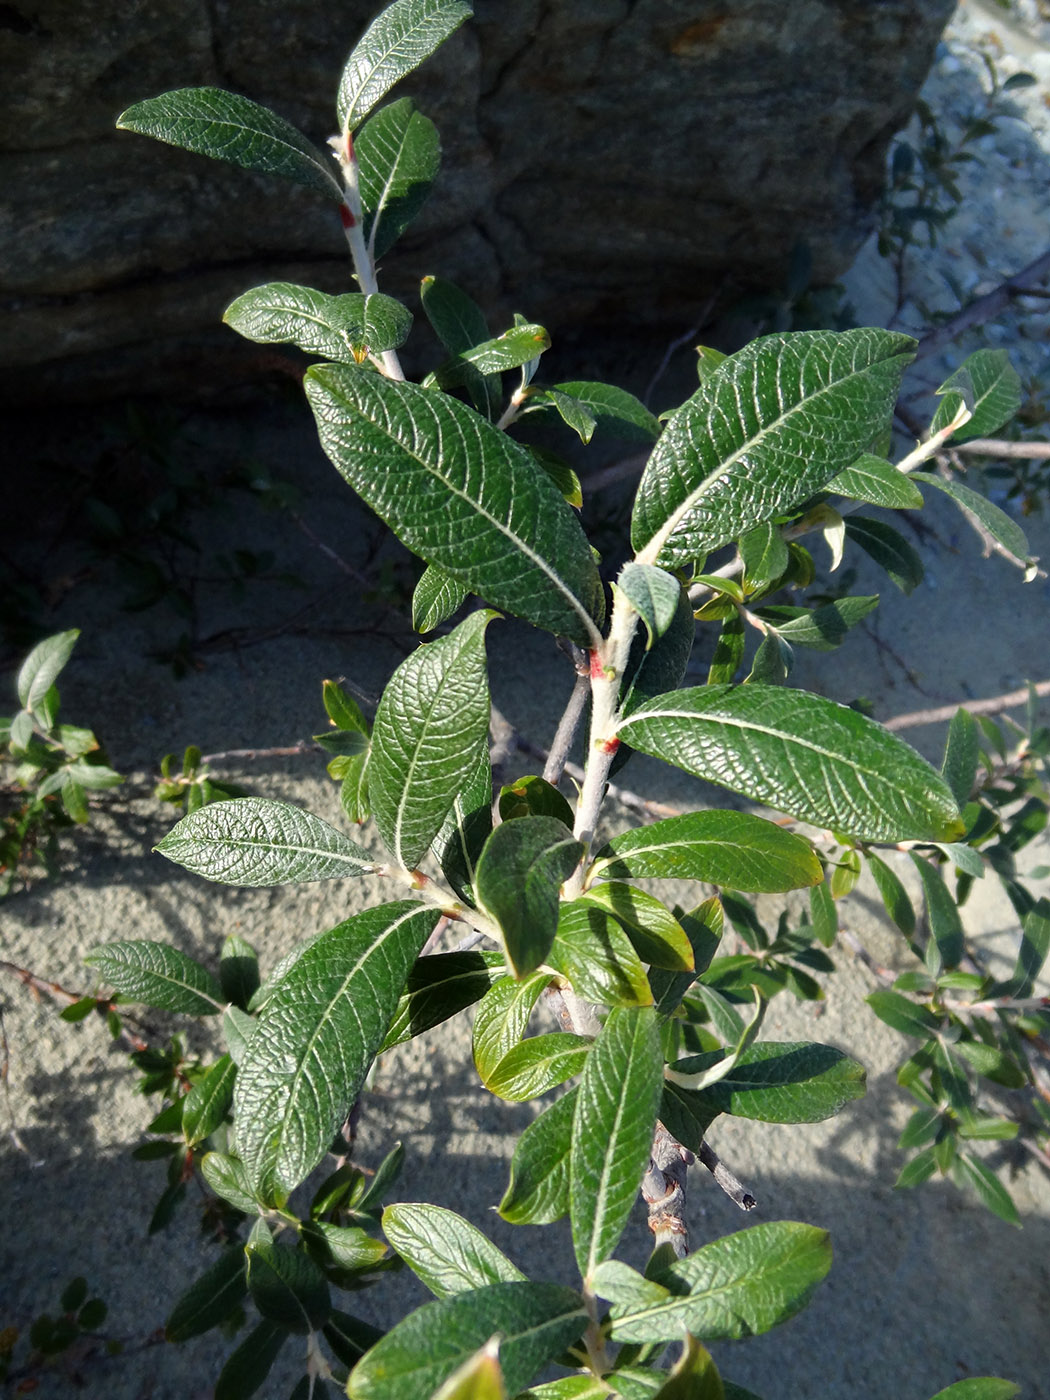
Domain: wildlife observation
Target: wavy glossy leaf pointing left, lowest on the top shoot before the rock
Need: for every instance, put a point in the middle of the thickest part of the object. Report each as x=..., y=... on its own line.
x=346, y=328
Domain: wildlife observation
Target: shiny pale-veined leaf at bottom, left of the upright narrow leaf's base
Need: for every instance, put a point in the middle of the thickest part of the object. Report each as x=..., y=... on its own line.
x=446, y=1252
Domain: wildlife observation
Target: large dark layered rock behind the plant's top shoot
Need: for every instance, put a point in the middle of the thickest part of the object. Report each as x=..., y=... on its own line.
x=611, y=160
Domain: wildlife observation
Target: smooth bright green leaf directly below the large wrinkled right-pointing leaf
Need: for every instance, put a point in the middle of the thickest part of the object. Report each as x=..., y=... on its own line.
x=733, y=849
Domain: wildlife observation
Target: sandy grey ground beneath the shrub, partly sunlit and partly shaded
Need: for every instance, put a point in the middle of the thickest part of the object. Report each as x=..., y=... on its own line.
x=927, y=1287
